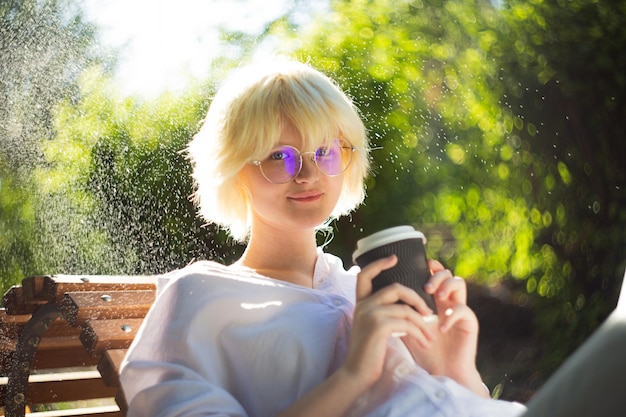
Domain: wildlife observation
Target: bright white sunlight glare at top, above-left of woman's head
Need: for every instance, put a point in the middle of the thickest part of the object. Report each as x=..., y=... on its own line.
x=163, y=44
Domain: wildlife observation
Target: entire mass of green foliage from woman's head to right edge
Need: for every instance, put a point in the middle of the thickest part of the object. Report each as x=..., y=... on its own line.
x=501, y=136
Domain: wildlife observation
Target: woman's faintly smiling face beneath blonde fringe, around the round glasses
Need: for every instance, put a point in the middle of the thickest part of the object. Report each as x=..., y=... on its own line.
x=302, y=203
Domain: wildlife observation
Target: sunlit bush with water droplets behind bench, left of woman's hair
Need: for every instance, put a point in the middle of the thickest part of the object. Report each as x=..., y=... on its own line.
x=120, y=161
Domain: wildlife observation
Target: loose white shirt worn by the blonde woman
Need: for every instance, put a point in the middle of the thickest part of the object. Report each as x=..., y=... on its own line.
x=225, y=341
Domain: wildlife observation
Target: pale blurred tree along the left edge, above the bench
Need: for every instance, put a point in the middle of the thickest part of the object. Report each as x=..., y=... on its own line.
x=43, y=48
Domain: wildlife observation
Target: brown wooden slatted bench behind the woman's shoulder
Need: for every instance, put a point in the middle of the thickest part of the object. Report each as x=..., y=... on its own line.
x=63, y=338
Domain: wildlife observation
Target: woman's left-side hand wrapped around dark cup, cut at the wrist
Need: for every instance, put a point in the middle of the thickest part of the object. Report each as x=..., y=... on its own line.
x=377, y=317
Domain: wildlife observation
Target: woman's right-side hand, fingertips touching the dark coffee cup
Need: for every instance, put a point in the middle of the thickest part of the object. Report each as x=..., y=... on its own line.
x=452, y=350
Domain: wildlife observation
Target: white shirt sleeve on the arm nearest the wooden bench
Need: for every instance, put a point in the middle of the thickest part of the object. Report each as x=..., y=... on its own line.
x=170, y=370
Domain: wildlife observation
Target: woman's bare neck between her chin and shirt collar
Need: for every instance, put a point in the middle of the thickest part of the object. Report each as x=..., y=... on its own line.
x=284, y=256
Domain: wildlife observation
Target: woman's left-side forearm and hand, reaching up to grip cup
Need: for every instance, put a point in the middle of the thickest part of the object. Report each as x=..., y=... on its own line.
x=376, y=318
